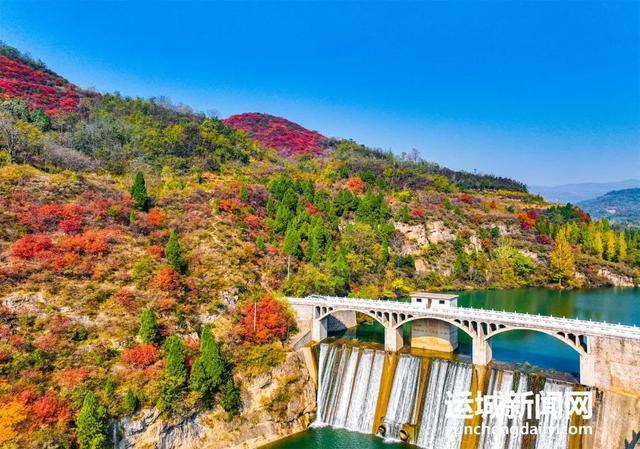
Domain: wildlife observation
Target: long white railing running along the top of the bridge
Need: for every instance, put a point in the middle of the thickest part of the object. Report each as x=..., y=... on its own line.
x=513, y=318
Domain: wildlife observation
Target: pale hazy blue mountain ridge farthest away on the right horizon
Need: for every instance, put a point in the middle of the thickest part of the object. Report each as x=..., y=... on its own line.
x=575, y=193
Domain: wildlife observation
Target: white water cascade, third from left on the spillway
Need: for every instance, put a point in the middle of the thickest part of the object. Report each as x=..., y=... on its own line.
x=436, y=429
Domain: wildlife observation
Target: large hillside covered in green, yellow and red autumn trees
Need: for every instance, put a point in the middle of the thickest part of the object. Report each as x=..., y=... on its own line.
x=132, y=232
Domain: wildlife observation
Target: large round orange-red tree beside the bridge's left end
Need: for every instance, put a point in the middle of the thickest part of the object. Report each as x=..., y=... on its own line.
x=272, y=320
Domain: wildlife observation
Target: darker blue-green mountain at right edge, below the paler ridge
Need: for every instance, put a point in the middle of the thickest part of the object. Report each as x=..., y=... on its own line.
x=620, y=206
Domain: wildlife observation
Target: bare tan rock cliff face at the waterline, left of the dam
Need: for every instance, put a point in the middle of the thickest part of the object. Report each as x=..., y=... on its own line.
x=275, y=405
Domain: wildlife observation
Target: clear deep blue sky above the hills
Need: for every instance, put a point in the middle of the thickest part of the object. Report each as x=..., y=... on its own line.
x=545, y=92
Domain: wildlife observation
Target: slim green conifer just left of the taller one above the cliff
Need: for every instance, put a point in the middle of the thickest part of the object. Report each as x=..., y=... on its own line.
x=175, y=372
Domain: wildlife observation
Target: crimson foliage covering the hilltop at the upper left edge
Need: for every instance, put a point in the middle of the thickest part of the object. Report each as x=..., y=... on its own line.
x=38, y=87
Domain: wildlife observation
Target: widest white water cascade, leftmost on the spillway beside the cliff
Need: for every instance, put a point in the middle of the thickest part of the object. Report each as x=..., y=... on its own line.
x=348, y=384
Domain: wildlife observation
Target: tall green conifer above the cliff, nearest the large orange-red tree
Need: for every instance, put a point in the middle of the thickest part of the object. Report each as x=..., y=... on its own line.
x=206, y=374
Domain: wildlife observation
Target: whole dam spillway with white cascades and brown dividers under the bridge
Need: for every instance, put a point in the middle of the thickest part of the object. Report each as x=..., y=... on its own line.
x=415, y=408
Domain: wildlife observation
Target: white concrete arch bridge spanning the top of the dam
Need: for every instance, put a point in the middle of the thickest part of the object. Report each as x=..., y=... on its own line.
x=608, y=352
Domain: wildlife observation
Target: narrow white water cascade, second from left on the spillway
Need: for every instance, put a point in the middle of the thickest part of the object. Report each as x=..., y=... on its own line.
x=401, y=406
